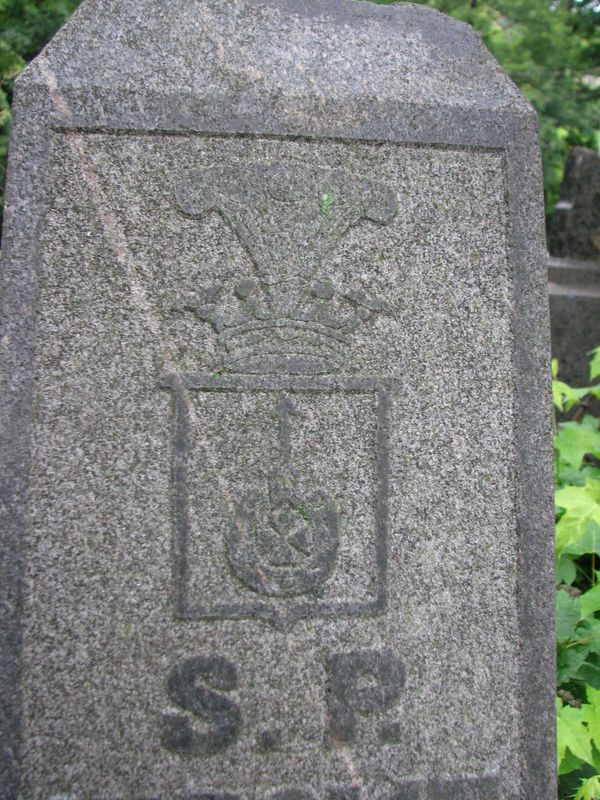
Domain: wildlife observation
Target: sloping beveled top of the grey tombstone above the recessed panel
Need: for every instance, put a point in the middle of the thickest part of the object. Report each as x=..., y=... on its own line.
x=327, y=67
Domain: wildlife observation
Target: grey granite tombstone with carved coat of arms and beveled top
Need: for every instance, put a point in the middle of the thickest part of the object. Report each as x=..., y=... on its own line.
x=276, y=461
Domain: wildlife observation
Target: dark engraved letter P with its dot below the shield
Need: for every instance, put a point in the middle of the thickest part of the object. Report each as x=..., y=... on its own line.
x=361, y=682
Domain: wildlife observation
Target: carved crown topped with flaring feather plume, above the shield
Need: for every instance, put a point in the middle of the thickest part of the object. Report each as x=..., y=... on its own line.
x=287, y=217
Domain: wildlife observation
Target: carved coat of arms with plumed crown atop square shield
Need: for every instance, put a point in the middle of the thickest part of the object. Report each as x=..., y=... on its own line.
x=288, y=517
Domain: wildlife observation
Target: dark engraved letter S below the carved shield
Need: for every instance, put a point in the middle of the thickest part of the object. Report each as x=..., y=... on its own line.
x=197, y=685
